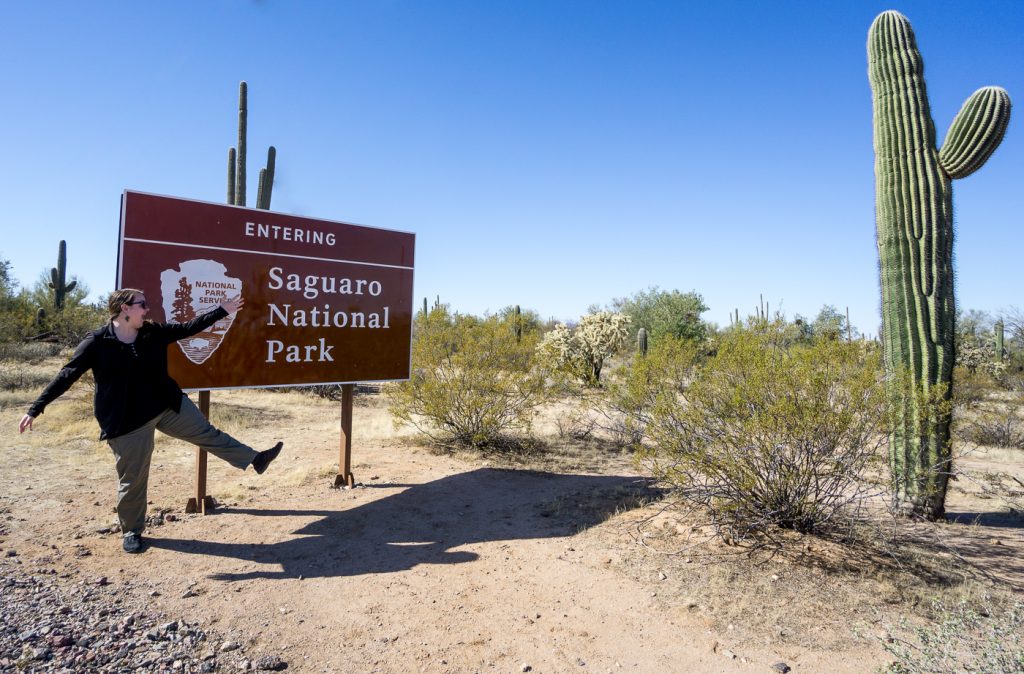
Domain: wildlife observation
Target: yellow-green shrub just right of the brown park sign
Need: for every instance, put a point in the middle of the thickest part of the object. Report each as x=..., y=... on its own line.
x=473, y=381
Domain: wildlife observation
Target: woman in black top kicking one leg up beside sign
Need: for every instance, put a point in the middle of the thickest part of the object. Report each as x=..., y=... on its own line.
x=136, y=396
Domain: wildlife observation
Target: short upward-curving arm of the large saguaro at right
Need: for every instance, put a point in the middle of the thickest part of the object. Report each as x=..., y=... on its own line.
x=976, y=133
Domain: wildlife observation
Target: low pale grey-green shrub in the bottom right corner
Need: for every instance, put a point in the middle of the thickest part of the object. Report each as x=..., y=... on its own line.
x=962, y=640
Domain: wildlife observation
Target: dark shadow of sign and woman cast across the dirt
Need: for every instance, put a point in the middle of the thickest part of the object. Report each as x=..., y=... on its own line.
x=424, y=524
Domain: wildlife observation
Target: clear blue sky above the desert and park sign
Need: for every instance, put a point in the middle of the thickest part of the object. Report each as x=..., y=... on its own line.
x=553, y=155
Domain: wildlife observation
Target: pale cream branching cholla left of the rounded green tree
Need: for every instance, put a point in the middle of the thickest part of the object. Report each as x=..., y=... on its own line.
x=581, y=353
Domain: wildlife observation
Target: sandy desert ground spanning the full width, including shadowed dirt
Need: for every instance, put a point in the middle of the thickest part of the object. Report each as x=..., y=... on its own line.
x=560, y=560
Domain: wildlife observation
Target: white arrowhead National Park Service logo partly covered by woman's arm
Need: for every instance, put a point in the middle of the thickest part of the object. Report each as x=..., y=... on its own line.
x=194, y=289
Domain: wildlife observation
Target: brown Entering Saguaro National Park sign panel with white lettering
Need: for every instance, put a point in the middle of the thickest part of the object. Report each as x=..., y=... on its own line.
x=326, y=303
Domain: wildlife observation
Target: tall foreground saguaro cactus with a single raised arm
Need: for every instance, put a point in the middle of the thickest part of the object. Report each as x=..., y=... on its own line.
x=914, y=217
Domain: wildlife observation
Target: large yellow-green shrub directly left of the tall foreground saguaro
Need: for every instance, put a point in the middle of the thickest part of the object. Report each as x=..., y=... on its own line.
x=767, y=437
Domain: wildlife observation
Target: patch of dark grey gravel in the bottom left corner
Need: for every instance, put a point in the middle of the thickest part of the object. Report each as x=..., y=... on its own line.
x=57, y=623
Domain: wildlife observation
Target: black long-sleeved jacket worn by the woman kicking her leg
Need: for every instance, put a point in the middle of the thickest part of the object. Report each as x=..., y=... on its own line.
x=115, y=365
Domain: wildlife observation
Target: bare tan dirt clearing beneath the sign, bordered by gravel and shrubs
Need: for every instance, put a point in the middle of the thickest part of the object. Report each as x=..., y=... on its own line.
x=433, y=565
